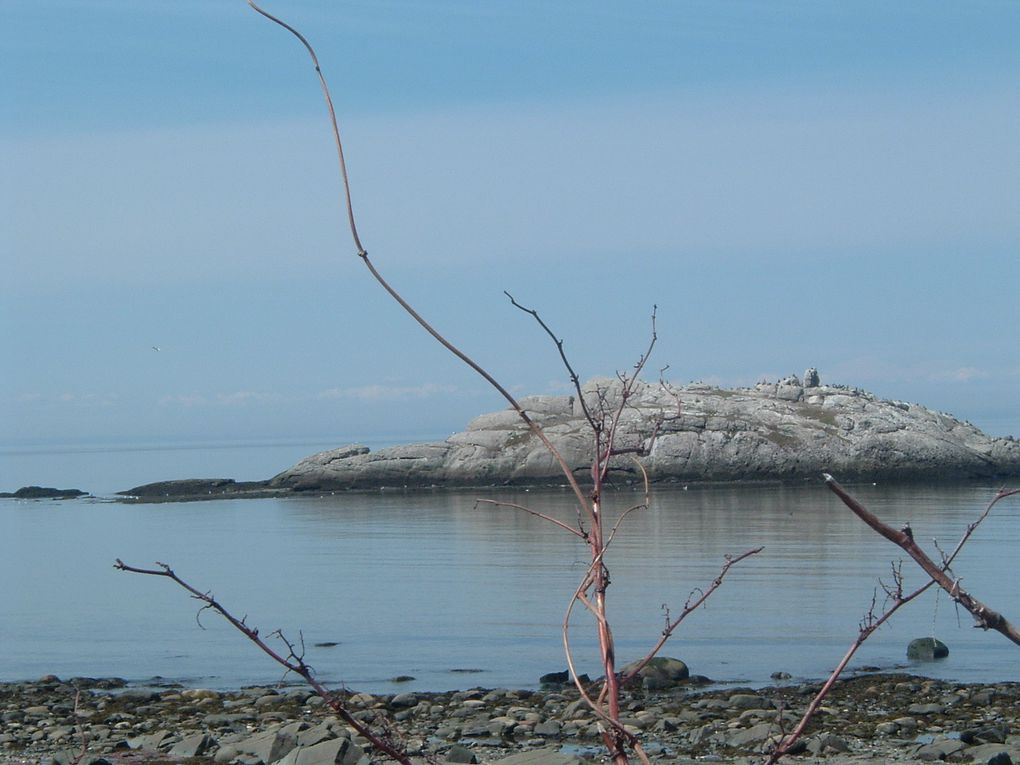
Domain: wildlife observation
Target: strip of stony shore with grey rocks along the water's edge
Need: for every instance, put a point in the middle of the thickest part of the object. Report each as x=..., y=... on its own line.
x=870, y=720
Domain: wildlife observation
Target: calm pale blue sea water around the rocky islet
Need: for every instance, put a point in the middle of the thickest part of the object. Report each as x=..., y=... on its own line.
x=429, y=586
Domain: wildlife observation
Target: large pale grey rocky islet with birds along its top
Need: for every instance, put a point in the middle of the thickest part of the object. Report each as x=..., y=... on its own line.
x=788, y=430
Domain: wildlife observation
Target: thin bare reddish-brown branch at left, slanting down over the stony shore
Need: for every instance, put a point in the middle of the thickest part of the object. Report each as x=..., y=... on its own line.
x=292, y=662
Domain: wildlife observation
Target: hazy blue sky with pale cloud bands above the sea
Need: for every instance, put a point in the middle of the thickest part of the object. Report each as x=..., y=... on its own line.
x=792, y=184
